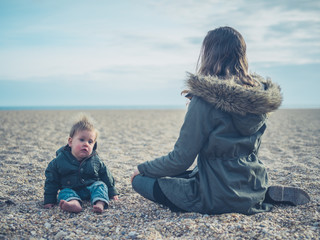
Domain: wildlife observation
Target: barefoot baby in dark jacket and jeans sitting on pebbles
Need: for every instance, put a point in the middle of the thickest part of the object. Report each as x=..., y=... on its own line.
x=78, y=173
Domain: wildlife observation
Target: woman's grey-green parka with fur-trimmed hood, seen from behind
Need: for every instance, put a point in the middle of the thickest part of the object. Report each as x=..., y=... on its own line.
x=223, y=127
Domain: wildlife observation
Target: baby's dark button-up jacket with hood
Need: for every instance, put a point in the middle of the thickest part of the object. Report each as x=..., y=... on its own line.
x=65, y=171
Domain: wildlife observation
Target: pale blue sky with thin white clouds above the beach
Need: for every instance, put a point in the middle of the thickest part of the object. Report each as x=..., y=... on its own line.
x=128, y=53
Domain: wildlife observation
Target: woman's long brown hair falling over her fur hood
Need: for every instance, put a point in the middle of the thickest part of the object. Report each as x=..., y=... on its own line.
x=223, y=54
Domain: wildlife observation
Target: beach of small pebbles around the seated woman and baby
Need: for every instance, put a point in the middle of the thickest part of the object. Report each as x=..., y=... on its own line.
x=290, y=151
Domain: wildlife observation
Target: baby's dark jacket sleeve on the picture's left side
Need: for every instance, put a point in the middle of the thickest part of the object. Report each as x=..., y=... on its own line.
x=52, y=183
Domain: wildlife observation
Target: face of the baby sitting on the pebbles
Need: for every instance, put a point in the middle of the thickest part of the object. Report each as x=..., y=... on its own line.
x=82, y=144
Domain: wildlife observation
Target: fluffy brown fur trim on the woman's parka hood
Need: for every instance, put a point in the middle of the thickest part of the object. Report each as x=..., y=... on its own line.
x=230, y=96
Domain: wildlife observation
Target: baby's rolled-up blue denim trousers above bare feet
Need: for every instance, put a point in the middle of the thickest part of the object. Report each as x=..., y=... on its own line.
x=97, y=191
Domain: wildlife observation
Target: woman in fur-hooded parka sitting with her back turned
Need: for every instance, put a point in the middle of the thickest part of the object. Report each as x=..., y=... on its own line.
x=223, y=126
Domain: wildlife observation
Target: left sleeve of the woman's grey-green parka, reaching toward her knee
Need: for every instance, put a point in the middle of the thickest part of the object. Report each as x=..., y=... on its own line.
x=193, y=135
